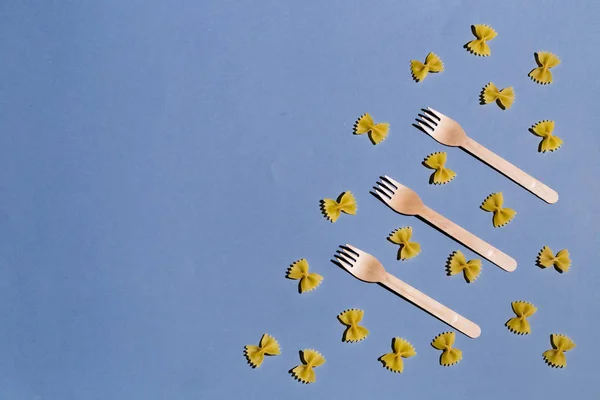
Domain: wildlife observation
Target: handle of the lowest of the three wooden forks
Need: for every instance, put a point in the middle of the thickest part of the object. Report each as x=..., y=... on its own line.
x=433, y=307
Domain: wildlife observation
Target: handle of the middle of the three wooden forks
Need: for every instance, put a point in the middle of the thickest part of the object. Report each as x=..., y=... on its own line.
x=471, y=241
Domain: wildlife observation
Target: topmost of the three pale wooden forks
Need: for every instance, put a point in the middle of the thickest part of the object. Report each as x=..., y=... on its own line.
x=448, y=132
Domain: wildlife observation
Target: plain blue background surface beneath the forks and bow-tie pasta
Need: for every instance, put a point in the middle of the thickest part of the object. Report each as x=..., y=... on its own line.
x=161, y=165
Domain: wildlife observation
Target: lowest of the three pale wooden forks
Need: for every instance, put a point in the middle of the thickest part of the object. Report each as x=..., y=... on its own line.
x=368, y=269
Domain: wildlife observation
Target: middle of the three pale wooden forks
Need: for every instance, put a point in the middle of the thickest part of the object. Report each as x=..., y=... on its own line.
x=405, y=201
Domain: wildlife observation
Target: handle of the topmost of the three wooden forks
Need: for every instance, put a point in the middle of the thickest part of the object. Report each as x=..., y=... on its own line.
x=504, y=167
